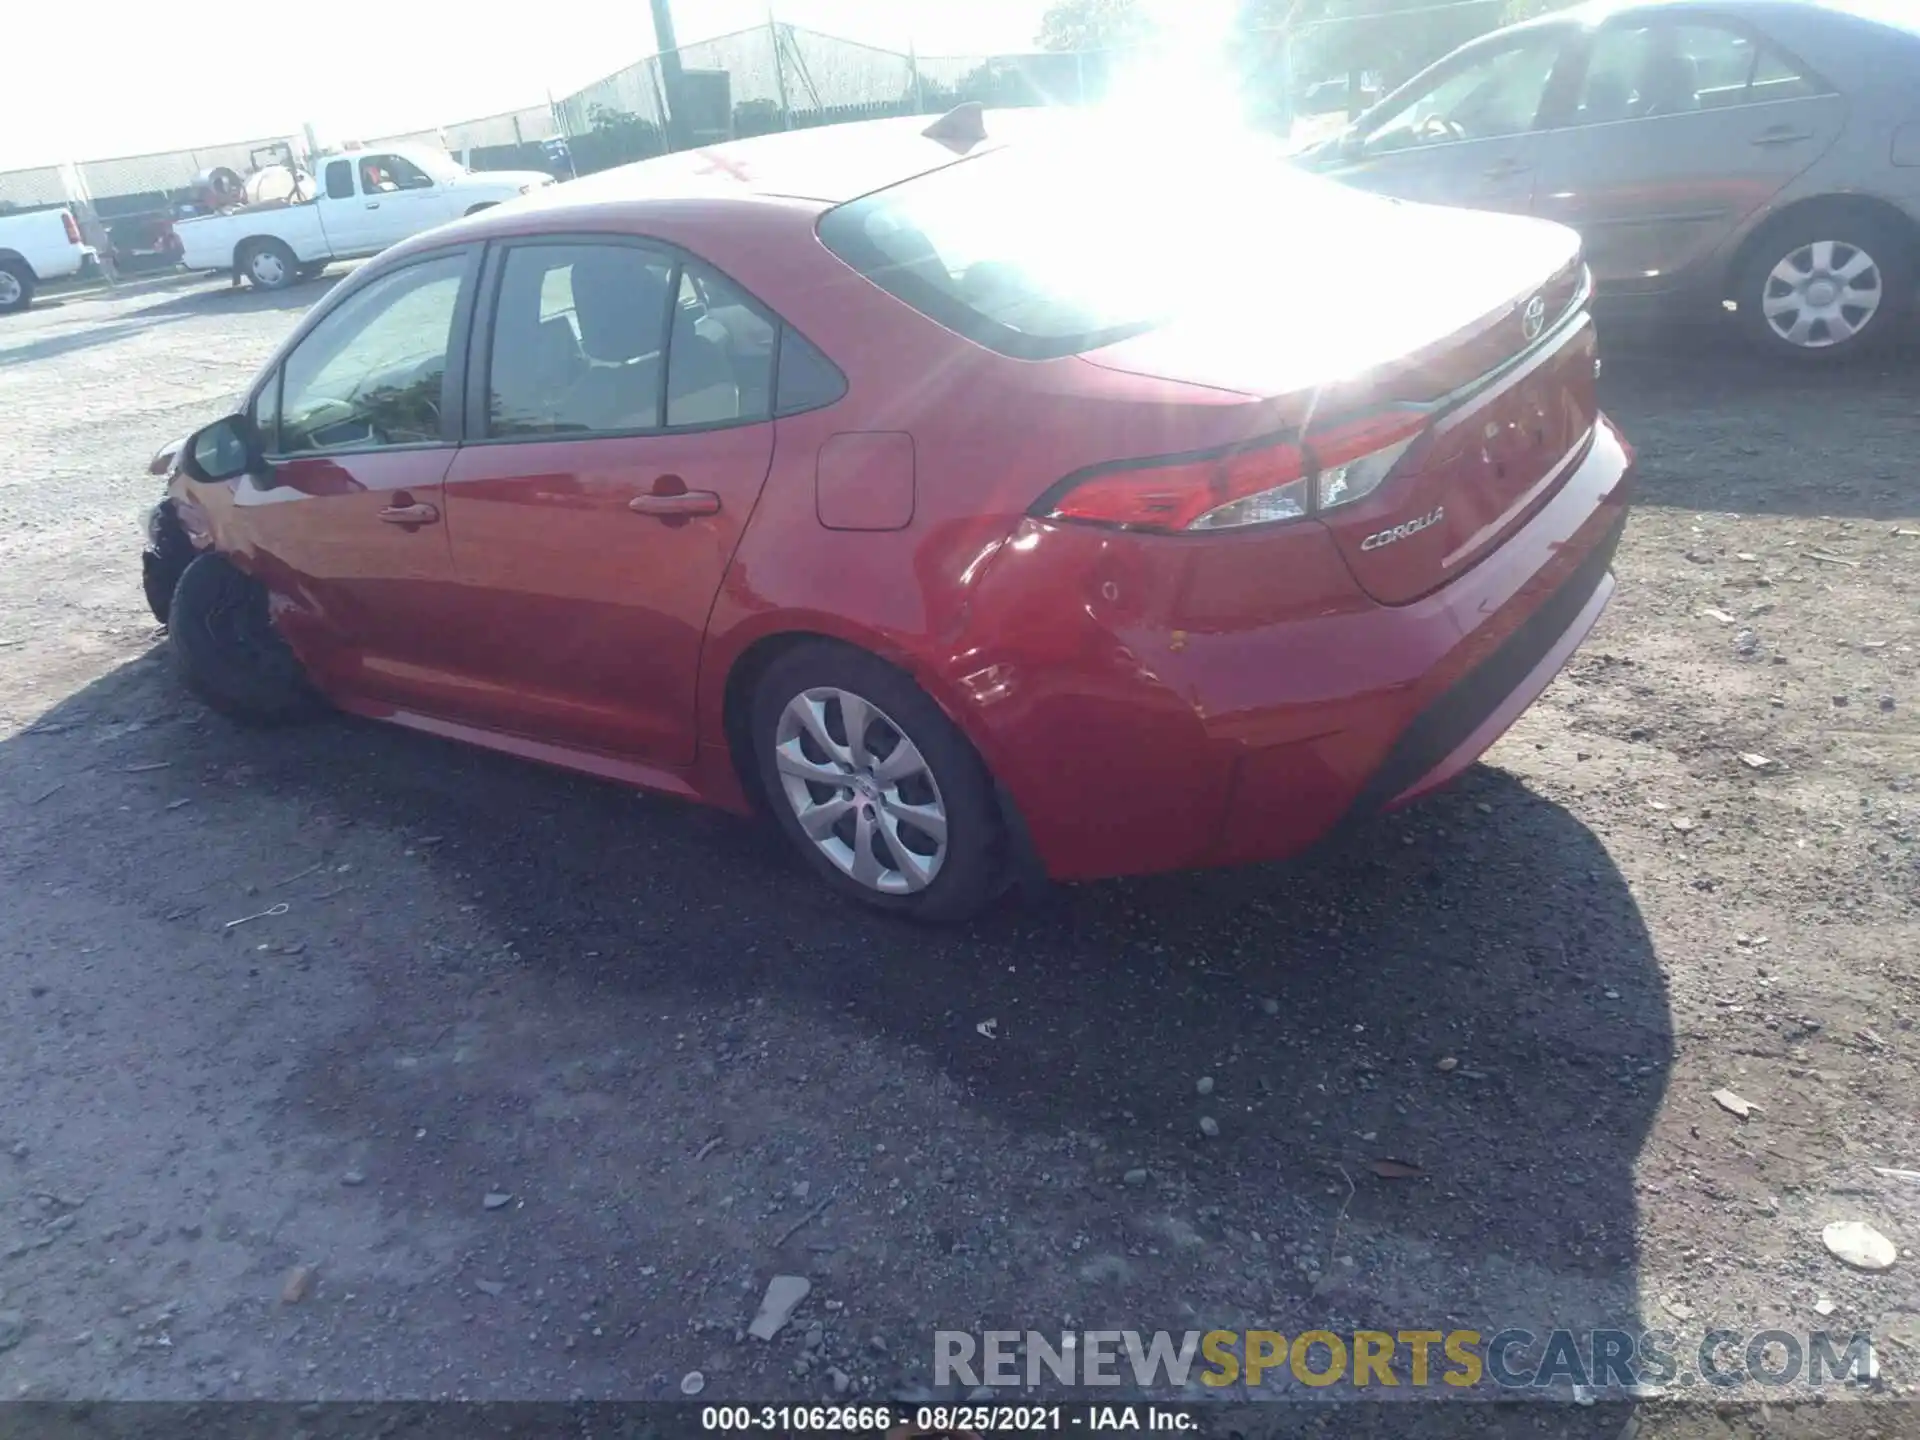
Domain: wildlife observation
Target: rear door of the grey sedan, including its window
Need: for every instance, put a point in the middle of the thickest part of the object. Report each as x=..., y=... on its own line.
x=1679, y=130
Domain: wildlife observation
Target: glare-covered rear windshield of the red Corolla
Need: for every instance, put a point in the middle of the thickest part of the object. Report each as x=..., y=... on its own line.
x=1045, y=251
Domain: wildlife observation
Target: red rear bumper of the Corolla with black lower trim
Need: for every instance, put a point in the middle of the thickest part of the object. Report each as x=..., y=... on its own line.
x=1257, y=742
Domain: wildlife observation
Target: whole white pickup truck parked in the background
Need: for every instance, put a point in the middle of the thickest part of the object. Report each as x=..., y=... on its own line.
x=354, y=204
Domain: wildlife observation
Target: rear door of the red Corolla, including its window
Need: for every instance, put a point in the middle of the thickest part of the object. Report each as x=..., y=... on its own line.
x=621, y=433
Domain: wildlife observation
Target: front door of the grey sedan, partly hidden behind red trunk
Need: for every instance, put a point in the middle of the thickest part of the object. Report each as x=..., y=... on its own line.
x=1464, y=135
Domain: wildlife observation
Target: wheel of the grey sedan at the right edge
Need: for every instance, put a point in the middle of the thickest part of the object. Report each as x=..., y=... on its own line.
x=1798, y=302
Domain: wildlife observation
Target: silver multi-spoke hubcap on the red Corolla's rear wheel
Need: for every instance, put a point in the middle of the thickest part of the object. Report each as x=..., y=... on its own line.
x=861, y=790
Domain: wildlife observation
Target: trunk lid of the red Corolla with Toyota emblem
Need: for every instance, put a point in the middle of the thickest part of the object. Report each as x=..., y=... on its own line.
x=1474, y=322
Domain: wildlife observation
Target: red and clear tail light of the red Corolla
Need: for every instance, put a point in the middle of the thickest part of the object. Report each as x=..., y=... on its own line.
x=1251, y=485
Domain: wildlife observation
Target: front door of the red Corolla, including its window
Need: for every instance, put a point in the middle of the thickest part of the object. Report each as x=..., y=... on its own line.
x=347, y=525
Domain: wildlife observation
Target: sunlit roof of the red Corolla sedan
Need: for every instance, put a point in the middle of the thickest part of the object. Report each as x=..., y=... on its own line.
x=828, y=164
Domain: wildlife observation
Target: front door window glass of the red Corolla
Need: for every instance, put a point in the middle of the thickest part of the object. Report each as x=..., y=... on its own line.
x=372, y=373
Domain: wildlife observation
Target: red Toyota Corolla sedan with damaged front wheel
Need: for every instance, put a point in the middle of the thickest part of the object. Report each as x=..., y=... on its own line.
x=978, y=500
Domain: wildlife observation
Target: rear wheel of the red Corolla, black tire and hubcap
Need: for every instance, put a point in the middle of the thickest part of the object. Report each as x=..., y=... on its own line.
x=911, y=869
